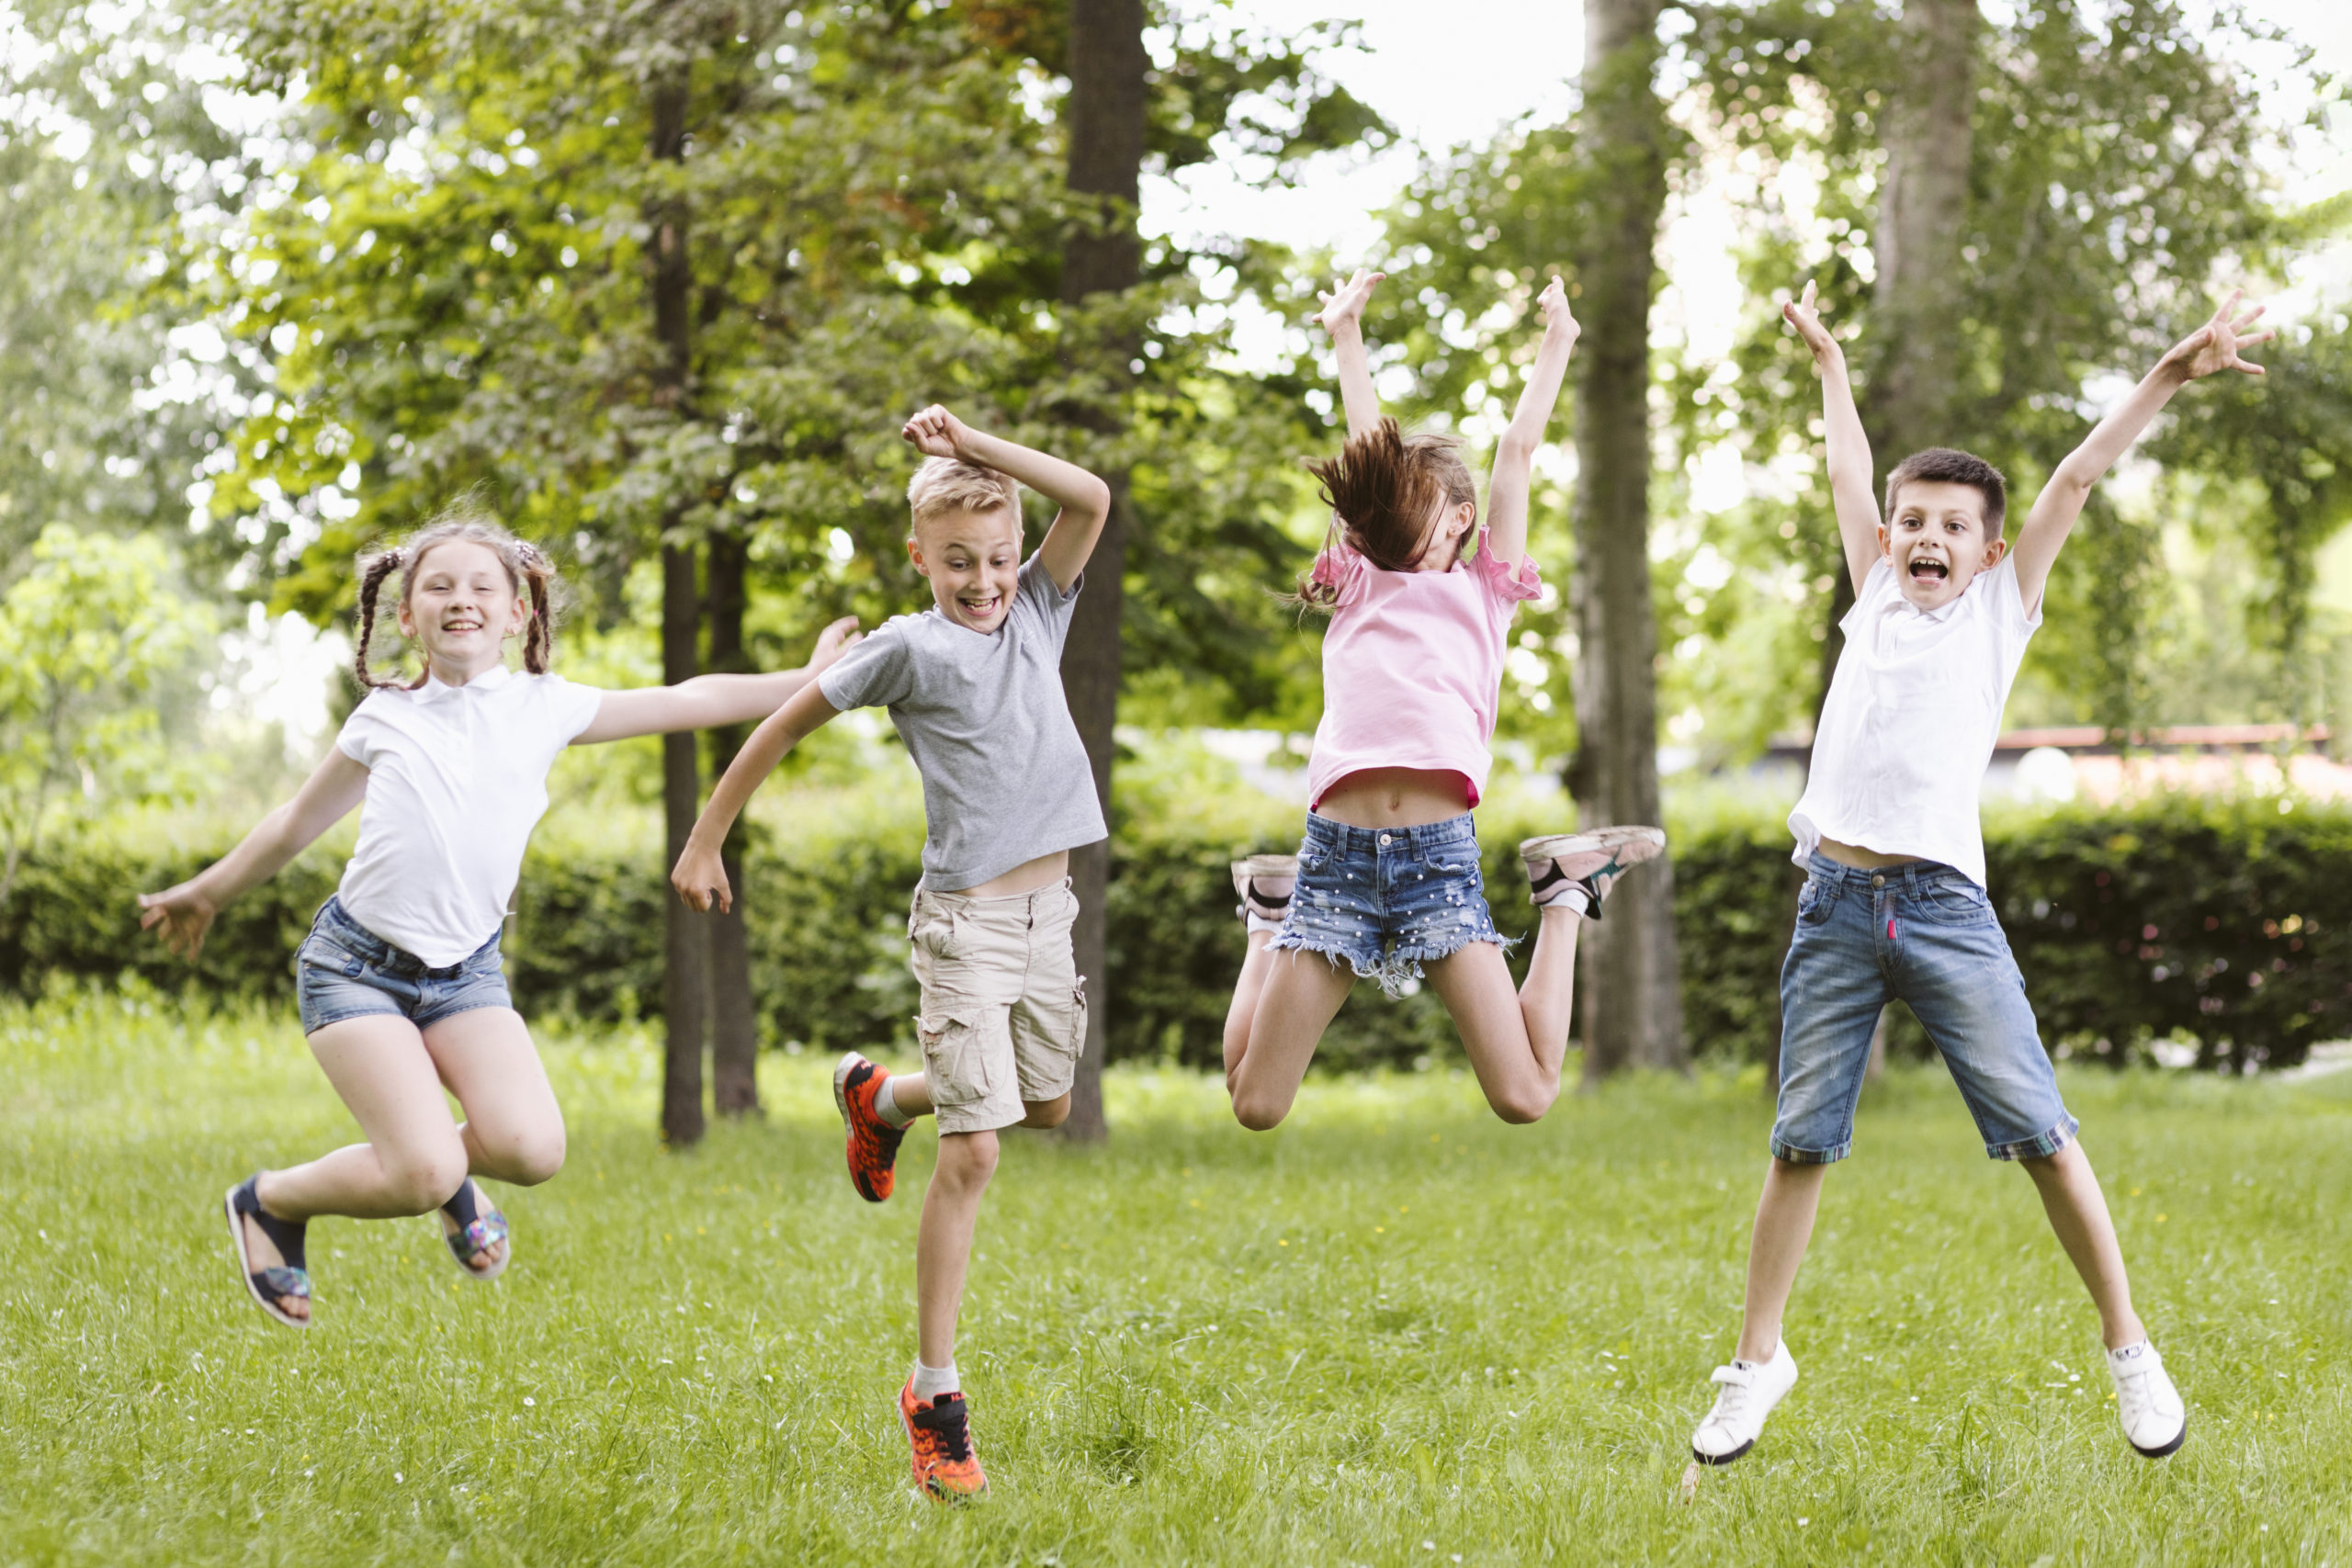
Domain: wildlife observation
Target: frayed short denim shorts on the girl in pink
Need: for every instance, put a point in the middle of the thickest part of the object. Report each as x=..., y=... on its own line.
x=1389, y=899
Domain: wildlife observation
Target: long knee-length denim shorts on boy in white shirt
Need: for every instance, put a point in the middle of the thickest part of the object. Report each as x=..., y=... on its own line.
x=1925, y=934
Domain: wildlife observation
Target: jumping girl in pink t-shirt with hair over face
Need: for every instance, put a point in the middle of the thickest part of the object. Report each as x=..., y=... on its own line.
x=1387, y=883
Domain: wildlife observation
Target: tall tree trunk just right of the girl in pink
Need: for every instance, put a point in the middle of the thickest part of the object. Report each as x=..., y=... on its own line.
x=1631, y=974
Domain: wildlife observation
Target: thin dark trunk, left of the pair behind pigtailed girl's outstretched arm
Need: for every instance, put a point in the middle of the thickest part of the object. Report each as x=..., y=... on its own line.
x=686, y=979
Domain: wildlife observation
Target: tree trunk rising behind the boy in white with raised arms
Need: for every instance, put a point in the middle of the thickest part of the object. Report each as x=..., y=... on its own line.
x=1923, y=215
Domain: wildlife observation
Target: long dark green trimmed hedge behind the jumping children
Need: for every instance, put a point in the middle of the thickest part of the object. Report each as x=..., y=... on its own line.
x=2212, y=923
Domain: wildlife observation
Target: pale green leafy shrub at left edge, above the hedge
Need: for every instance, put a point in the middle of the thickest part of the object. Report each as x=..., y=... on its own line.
x=91, y=638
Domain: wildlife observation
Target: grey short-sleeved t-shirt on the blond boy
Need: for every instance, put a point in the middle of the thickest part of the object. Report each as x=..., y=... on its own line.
x=1003, y=772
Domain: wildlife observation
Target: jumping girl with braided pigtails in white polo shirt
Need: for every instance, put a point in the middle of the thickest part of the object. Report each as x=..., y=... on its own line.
x=401, y=984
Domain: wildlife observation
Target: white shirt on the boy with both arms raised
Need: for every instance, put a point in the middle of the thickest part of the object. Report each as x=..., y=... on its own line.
x=1913, y=713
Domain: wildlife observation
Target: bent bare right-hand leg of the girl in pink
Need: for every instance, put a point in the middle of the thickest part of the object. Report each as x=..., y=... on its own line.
x=1516, y=1040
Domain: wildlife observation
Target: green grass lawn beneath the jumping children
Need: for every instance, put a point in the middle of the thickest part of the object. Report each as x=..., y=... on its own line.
x=1396, y=1332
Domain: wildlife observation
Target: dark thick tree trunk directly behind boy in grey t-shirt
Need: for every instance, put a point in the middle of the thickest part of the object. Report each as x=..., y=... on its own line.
x=1104, y=255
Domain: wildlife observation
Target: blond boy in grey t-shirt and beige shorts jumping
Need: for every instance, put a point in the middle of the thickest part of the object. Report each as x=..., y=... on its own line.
x=975, y=690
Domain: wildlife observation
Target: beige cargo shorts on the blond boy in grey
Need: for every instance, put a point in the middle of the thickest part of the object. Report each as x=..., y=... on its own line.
x=1003, y=1010
